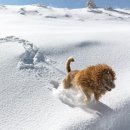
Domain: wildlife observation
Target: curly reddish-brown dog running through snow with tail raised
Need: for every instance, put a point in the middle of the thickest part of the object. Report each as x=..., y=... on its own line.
x=94, y=80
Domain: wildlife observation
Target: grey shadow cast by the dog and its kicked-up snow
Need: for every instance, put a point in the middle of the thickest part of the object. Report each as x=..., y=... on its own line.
x=94, y=107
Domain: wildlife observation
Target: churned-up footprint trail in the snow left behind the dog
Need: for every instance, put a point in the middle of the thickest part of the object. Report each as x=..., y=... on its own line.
x=33, y=58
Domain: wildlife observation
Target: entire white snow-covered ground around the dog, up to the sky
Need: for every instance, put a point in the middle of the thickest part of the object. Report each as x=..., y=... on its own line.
x=35, y=41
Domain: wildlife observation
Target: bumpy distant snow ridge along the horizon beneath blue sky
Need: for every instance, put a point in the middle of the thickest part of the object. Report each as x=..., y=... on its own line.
x=84, y=14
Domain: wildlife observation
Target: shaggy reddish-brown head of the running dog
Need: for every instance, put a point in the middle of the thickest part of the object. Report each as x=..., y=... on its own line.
x=106, y=76
